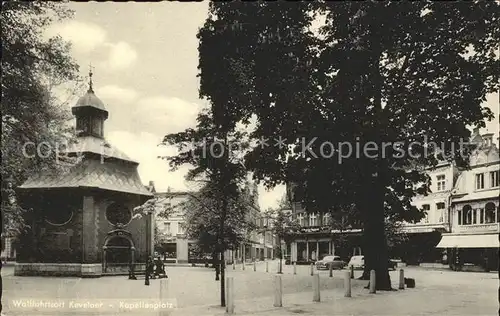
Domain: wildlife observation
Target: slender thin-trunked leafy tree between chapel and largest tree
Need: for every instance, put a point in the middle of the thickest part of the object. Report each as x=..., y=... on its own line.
x=214, y=150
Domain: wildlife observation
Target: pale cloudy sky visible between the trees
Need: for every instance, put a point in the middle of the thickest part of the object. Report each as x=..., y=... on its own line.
x=144, y=58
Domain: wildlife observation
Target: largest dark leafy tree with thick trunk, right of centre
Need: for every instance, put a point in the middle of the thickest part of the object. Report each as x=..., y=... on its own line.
x=358, y=82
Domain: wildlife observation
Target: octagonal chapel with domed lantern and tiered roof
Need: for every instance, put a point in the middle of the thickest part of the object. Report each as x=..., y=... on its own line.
x=82, y=220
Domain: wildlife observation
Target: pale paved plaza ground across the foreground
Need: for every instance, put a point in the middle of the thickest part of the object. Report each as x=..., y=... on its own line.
x=193, y=291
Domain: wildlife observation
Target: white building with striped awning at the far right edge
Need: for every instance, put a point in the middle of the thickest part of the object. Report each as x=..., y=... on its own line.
x=473, y=241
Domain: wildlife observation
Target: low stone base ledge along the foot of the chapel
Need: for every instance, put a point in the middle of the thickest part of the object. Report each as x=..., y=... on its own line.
x=58, y=269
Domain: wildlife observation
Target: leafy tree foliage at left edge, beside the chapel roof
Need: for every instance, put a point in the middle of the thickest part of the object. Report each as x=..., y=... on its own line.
x=32, y=66
